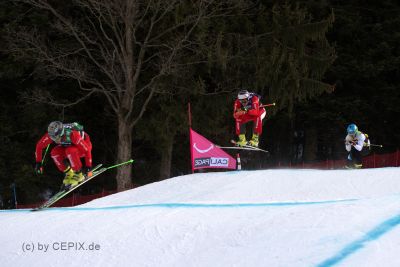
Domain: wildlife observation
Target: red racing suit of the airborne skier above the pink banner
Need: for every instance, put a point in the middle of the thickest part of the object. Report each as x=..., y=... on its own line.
x=251, y=111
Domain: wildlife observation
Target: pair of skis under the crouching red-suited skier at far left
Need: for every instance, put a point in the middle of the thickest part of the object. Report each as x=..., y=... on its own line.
x=95, y=172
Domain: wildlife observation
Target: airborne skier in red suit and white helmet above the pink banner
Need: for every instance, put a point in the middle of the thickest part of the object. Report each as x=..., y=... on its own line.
x=247, y=107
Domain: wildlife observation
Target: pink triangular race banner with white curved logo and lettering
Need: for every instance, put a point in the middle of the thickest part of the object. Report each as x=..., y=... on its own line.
x=207, y=155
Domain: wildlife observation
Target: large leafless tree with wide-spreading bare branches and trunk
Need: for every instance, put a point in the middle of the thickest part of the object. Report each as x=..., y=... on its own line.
x=120, y=49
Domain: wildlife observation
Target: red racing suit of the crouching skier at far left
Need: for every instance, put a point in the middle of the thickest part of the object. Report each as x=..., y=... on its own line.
x=74, y=146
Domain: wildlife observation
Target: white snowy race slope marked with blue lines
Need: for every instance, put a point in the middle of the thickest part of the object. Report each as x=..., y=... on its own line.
x=247, y=218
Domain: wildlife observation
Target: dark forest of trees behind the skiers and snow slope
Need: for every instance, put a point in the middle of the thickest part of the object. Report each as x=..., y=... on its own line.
x=127, y=73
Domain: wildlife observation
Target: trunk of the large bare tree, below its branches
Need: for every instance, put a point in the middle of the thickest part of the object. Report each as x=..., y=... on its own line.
x=124, y=172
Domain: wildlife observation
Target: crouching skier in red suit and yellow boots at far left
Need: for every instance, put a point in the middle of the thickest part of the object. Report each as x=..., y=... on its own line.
x=72, y=144
